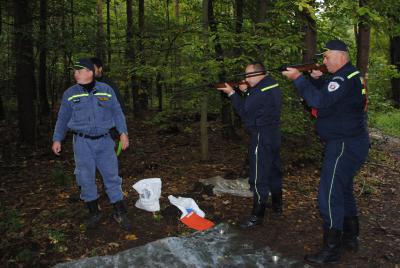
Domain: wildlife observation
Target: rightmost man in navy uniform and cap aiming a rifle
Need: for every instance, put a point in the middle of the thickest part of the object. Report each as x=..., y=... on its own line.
x=341, y=124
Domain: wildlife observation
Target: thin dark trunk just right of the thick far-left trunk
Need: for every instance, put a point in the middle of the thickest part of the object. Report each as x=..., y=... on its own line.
x=44, y=103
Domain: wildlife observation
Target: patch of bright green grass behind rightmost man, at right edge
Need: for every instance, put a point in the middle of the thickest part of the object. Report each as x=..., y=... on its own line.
x=388, y=122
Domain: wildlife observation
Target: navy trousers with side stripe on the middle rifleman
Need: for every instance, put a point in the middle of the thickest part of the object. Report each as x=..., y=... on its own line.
x=265, y=162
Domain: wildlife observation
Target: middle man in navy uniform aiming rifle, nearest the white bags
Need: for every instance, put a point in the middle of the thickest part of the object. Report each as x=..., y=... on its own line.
x=260, y=111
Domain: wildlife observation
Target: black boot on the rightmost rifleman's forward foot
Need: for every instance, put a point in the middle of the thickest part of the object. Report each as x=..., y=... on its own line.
x=330, y=252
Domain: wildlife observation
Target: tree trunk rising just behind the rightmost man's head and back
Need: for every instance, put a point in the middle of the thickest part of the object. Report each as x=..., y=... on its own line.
x=363, y=42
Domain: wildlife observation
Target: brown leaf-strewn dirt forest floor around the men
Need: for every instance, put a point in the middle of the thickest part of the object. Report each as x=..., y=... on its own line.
x=41, y=222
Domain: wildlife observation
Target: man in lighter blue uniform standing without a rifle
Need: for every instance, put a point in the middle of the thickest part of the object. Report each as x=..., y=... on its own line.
x=90, y=109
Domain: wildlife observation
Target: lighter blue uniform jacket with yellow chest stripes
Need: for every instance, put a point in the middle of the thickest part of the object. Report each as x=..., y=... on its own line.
x=92, y=113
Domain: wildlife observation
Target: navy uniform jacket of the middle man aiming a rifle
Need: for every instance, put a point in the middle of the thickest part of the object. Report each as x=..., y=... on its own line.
x=262, y=105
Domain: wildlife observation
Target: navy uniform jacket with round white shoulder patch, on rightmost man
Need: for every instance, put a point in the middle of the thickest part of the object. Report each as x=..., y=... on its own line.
x=339, y=101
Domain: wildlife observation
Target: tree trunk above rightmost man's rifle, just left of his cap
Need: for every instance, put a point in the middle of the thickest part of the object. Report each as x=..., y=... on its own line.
x=310, y=36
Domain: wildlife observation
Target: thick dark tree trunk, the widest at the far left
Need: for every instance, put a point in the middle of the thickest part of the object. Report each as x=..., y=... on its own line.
x=24, y=74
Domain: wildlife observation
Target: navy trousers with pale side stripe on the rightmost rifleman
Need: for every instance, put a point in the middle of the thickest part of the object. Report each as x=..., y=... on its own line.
x=342, y=160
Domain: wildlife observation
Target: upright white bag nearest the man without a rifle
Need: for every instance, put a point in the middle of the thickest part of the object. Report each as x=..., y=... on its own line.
x=149, y=194
